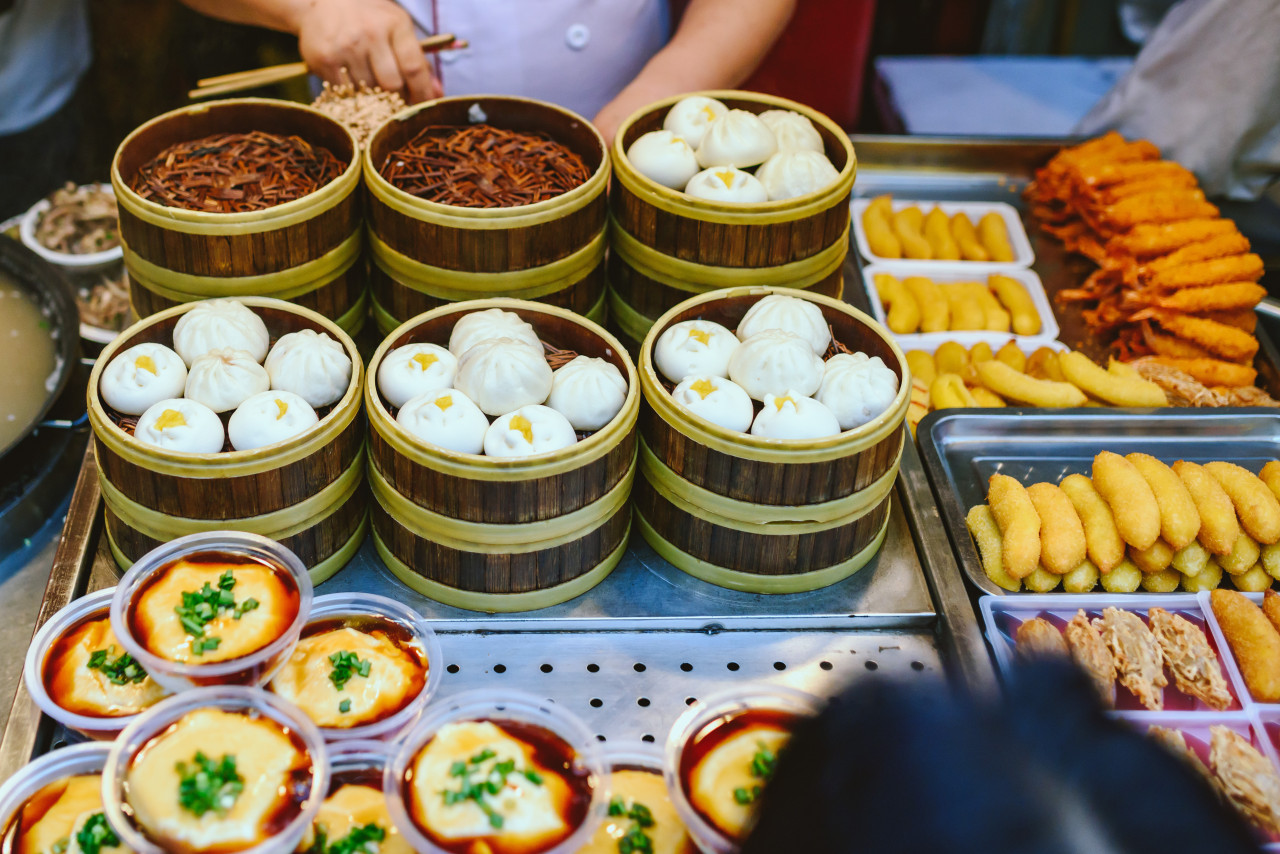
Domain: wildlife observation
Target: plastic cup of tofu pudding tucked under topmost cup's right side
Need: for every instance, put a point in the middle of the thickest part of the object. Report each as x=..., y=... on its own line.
x=362, y=657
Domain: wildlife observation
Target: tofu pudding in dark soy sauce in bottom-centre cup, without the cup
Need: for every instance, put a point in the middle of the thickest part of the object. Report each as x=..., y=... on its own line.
x=497, y=788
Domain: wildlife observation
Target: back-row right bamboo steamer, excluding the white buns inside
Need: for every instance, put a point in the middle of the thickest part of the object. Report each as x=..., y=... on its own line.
x=666, y=246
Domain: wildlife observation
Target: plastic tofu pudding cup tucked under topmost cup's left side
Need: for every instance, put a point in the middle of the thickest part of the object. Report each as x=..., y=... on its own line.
x=81, y=677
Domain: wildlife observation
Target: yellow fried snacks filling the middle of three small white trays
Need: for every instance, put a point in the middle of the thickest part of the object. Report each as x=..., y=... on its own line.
x=918, y=304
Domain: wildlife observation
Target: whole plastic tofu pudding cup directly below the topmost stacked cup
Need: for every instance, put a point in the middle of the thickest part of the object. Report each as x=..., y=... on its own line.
x=230, y=769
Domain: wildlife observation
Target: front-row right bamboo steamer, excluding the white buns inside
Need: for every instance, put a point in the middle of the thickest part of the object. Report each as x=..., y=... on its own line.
x=766, y=515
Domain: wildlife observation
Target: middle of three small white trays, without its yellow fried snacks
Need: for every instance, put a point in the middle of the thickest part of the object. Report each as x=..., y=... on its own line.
x=948, y=273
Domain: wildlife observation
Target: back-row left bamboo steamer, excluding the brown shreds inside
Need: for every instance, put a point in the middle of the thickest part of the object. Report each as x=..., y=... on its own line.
x=307, y=252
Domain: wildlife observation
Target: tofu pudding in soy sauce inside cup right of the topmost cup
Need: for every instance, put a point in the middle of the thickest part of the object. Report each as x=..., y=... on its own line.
x=354, y=672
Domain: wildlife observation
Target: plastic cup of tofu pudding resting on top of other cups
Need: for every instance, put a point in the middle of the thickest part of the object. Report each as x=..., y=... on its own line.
x=213, y=609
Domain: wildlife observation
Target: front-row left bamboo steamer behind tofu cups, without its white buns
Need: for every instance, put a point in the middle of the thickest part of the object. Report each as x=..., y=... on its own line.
x=308, y=494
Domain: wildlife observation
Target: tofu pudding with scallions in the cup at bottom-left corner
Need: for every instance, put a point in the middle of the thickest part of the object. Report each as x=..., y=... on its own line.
x=65, y=816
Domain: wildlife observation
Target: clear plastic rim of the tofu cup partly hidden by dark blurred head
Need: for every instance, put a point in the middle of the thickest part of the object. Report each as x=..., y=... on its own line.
x=696, y=720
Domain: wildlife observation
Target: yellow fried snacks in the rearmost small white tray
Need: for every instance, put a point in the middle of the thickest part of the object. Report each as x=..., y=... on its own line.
x=912, y=234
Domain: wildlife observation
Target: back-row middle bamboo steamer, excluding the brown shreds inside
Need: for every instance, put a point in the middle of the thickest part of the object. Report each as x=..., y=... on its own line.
x=427, y=254
